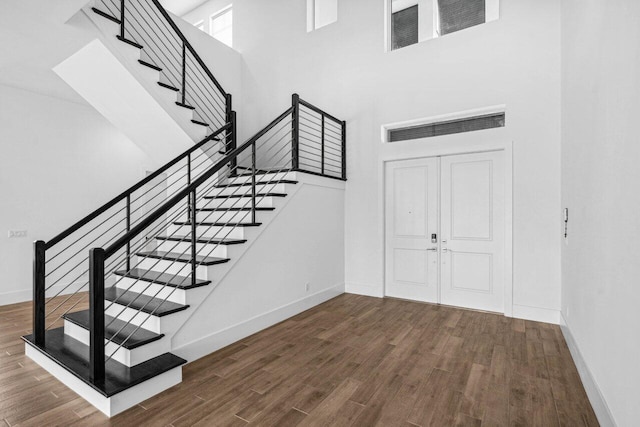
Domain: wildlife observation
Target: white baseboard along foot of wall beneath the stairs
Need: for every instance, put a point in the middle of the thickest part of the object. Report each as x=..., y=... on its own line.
x=208, y=344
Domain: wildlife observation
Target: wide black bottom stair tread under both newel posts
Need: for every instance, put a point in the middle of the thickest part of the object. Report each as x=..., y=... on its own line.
x=73, y=356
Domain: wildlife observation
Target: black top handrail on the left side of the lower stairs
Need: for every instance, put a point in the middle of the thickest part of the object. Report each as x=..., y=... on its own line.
x=87, y=219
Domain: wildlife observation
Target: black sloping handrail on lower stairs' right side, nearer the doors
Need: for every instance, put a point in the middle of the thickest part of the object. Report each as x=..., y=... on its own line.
x=180, y=196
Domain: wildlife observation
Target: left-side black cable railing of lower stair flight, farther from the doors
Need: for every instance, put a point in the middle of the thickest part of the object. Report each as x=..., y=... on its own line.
x=61, y=266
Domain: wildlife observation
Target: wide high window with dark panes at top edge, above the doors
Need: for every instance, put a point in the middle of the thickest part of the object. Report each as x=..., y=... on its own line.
x=412, y=21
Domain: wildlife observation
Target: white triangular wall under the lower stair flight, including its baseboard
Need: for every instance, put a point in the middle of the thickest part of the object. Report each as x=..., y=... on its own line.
x=302, y=243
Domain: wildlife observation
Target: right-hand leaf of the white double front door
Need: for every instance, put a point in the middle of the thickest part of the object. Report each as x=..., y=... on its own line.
x=472, y=209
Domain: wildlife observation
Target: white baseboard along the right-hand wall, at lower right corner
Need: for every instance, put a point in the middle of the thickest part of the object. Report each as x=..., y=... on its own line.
x=598, y=402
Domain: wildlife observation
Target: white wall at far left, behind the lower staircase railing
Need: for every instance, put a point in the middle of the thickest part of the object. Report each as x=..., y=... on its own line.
x=60, y=161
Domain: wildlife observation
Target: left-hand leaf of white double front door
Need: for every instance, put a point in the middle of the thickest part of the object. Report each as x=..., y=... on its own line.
x=411, y=217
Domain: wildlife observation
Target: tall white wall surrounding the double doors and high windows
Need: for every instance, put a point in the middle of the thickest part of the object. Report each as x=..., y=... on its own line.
x=344, y=69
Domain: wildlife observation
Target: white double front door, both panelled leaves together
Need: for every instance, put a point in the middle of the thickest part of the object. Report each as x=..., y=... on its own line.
x=445, y=238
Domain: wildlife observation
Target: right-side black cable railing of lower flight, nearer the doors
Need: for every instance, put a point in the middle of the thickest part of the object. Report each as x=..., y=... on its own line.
x=187, y=204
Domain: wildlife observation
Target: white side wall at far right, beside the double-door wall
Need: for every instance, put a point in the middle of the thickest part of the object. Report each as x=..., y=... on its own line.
x=600, y=176
